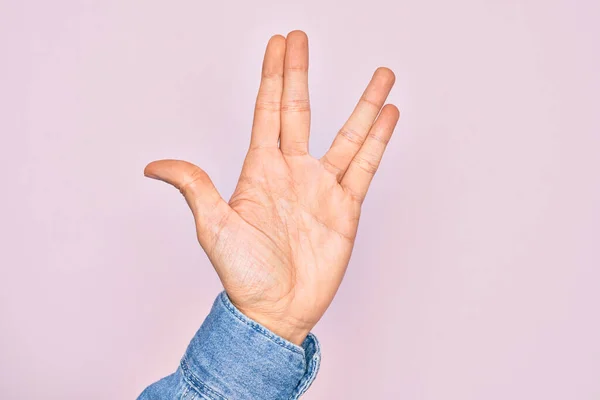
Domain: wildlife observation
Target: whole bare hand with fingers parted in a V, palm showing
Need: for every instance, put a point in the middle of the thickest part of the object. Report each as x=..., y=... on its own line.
x=282, y=243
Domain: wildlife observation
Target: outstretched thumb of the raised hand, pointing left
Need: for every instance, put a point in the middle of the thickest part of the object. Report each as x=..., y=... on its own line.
x=208, y=207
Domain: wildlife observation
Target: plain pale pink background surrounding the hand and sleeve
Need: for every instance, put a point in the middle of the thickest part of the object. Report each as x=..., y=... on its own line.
x=476, y=272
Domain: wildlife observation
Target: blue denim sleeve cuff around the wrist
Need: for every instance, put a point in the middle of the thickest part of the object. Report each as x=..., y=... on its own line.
x=231, y=357
